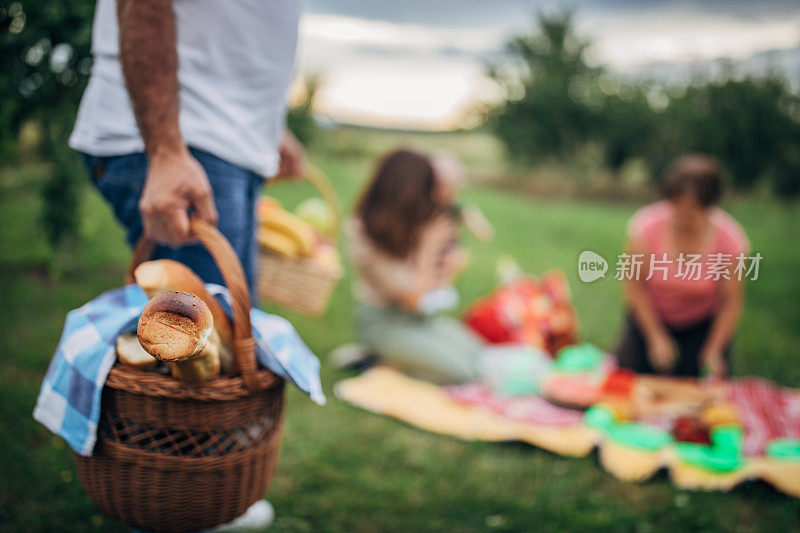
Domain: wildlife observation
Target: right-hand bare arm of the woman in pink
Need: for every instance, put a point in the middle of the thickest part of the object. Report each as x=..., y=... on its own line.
x=723, y=328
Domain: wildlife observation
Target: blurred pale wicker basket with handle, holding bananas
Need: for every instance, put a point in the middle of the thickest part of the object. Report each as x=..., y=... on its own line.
x=301, y=284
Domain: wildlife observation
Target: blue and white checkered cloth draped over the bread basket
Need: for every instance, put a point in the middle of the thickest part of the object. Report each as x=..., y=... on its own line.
x=69, y=400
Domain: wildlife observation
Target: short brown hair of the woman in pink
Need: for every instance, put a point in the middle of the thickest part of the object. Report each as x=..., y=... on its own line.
x=697, y=174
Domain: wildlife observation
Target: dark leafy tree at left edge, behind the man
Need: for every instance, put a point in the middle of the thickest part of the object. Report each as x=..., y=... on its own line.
x=43, y=69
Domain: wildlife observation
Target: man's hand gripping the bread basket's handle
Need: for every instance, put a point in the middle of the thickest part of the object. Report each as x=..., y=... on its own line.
x=175, y=183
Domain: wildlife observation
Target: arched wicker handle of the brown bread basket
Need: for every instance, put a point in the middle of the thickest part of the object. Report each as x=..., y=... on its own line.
x=244, y=347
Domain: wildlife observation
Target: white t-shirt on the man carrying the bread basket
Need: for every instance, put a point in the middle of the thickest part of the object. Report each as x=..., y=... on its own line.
x=235, y=60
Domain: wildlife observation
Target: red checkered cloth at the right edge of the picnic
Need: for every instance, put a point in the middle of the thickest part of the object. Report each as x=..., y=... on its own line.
x=766, y=412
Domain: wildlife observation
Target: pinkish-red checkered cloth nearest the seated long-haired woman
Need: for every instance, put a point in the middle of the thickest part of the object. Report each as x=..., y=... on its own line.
x=529, y=409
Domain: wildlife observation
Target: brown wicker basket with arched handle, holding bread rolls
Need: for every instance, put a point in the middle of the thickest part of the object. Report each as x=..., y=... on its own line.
x=176, y=457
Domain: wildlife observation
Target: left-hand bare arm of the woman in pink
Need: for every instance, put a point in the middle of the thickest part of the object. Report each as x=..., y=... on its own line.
x=661, y=348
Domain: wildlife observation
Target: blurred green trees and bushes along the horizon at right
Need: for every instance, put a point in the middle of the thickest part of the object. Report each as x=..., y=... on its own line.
x=556, y=104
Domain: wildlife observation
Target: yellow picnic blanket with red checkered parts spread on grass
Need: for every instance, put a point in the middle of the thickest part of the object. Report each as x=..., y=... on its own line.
x=473, y=412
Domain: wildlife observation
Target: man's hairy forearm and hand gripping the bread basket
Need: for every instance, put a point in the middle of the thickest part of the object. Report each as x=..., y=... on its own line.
x=175, y=180
